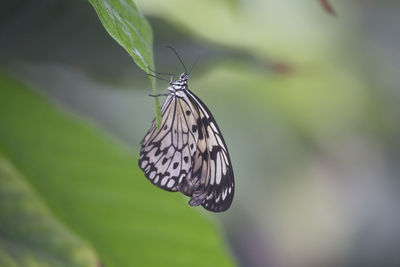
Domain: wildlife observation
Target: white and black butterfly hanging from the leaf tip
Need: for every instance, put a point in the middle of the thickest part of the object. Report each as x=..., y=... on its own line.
x=188, y=153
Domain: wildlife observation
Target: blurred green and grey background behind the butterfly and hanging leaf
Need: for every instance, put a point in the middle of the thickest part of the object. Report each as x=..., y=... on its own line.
x=308, y=103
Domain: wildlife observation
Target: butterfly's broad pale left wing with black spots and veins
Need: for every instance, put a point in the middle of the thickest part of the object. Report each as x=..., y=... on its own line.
x=166, y=153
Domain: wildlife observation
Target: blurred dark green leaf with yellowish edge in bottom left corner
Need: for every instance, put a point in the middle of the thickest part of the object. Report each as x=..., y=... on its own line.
x=29, y=234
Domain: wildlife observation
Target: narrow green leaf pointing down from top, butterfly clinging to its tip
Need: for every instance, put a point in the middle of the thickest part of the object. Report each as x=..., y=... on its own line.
x=132, y=31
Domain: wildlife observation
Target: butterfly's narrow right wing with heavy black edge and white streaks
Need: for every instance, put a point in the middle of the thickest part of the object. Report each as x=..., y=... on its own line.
x=211, y=163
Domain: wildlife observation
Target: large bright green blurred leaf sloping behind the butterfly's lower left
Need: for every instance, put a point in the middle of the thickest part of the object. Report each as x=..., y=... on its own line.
x=94, y=186
